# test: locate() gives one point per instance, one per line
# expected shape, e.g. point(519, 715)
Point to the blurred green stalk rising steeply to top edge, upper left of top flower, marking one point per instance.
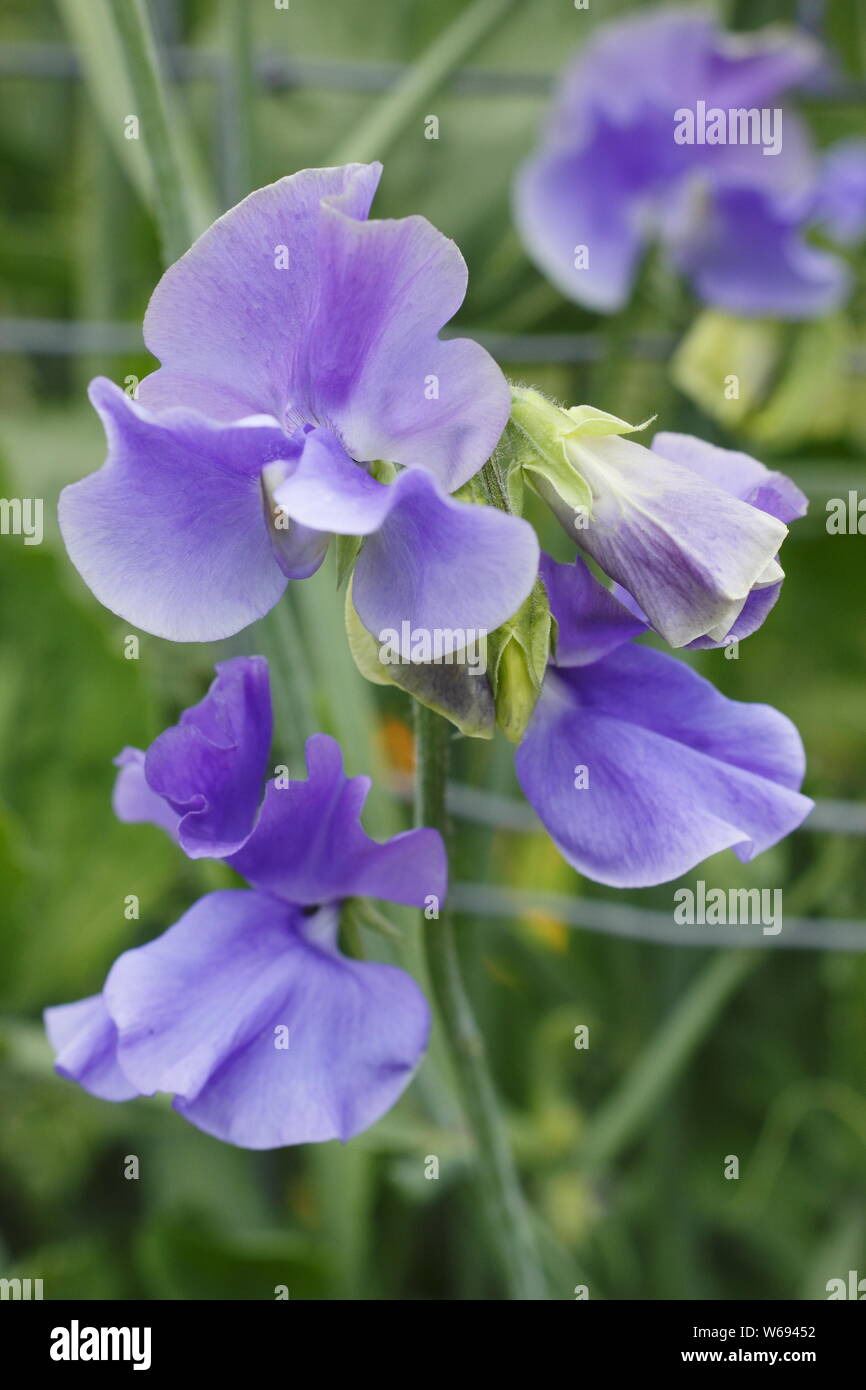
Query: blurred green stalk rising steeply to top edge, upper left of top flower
point(177, 209)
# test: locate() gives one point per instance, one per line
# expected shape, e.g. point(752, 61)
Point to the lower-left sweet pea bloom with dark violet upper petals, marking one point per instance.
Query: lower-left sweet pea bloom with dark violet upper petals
point(245, 1011)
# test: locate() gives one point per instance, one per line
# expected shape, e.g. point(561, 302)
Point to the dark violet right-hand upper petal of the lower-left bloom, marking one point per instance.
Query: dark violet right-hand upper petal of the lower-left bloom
point(309, 846)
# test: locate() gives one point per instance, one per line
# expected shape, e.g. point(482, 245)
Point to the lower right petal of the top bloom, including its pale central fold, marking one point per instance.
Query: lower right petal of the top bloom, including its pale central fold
point(443, 568)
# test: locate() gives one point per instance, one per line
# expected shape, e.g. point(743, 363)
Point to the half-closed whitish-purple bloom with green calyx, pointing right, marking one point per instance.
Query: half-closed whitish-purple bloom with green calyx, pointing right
point(690, 532)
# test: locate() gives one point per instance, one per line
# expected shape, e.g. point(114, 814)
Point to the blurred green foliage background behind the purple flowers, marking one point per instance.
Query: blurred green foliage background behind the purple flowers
point(622, 1146)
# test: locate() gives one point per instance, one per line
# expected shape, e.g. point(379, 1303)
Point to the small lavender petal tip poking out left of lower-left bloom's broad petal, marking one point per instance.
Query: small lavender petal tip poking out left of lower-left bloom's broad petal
point(85, 1045)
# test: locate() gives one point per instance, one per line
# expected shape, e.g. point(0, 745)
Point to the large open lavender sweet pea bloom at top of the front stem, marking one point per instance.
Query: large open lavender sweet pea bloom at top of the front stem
point(304, 391)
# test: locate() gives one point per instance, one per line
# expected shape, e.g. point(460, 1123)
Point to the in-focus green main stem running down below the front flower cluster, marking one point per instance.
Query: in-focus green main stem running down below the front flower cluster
point(509, 1217)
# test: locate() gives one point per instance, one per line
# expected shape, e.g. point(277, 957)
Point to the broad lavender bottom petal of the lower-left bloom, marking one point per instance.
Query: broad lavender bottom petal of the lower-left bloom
point(201, 1013)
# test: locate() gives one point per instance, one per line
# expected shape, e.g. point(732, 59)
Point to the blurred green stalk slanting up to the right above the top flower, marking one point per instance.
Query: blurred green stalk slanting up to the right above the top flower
point(377, 134)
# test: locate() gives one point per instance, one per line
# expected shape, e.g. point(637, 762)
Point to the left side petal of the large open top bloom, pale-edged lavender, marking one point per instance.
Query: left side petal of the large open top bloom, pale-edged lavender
point(172, 533)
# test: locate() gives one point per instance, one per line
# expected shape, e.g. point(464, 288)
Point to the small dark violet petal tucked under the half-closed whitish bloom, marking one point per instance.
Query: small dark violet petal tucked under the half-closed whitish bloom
point(591, 621)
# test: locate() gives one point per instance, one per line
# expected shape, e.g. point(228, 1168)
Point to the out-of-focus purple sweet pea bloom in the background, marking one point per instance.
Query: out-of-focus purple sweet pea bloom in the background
point(668, 130)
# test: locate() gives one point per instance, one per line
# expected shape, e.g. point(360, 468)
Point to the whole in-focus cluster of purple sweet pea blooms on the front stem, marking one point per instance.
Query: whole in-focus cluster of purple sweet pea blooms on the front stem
point(305, 393)
